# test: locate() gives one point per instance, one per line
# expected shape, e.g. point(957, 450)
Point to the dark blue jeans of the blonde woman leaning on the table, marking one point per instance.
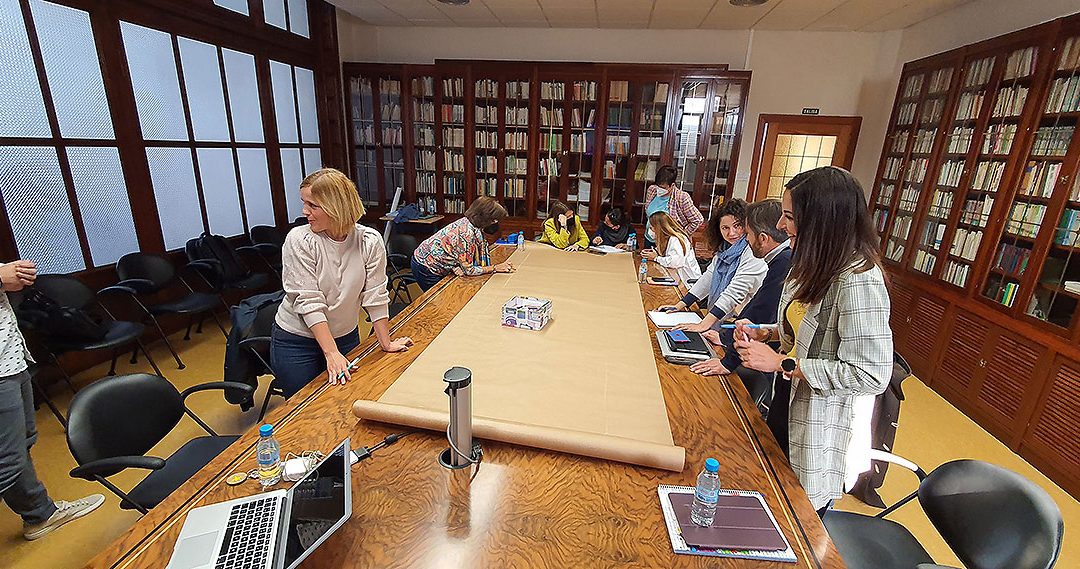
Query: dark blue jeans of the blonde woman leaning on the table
point(298, 360)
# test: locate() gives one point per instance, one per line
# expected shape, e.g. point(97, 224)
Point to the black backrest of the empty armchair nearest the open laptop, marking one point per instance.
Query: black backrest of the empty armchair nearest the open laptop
point(123, 416)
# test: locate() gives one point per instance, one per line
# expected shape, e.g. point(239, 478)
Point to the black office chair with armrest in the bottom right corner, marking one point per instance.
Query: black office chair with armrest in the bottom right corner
point(990, 517)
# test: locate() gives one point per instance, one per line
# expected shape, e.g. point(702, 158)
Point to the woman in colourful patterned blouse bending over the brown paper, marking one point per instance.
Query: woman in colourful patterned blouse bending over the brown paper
point(463, 248)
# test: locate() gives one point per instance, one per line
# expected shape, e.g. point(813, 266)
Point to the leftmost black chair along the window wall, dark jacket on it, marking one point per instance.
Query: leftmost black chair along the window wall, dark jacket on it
point(71, 293)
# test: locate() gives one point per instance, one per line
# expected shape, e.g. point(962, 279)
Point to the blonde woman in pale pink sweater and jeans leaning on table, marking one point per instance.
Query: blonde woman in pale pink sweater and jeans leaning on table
point(331, 268)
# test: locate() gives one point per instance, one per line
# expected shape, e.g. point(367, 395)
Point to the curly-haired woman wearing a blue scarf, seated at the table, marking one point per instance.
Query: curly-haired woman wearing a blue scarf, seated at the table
point(735, 275)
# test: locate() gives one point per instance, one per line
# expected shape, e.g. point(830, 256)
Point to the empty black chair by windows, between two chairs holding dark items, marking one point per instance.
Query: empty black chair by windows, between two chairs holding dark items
point(147, 275)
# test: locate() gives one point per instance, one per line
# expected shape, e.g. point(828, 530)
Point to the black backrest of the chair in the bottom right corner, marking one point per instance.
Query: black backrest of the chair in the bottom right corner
point(993, 518)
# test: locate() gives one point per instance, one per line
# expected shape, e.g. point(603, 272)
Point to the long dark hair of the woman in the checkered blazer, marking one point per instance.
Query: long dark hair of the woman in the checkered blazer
point(834, 231)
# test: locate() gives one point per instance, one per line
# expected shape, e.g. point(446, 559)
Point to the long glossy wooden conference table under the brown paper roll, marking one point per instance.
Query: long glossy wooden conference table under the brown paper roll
point(525, 508)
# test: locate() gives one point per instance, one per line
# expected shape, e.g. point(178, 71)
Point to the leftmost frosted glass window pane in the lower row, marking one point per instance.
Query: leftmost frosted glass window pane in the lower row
point(37, 205)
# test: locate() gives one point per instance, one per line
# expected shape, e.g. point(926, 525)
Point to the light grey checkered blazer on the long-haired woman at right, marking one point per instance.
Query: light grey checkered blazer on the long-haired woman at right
point(845, 349)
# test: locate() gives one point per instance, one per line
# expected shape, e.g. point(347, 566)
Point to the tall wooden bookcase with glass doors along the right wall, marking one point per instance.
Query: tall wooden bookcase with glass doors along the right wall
point(977, 202)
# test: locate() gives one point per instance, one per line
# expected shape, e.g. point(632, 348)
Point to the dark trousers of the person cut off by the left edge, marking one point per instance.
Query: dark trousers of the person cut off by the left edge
point(20, 486)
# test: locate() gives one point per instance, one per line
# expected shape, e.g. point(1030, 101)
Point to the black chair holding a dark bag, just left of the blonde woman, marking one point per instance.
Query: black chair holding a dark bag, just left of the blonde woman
point(223, 267)
